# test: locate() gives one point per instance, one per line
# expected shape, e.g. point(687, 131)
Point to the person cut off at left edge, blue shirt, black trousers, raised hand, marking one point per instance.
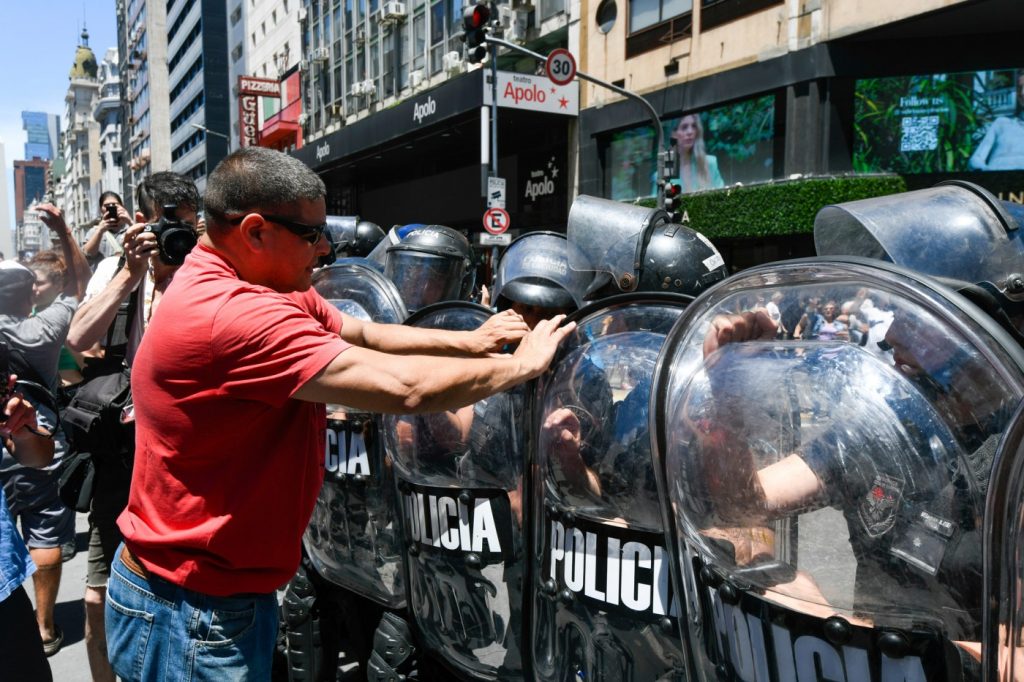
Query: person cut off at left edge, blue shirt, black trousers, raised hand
point(21, 646)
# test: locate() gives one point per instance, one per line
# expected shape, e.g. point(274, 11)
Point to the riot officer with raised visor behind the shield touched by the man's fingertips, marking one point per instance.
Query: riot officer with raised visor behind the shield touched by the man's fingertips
point(603, 606)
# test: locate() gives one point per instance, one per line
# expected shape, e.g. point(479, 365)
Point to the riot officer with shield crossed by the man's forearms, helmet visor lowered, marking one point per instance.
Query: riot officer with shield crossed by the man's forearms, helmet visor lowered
point(467, 594)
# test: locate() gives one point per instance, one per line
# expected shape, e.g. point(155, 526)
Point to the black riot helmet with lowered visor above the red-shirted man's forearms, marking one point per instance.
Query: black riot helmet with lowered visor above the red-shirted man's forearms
point(432, 264)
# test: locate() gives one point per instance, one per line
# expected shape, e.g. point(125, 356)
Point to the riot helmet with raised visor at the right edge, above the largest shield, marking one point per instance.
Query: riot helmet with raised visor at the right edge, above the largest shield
point(957, 232)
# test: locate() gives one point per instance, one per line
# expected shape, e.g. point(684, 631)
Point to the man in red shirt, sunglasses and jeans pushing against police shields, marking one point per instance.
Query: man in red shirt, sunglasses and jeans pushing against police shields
point(229, 395)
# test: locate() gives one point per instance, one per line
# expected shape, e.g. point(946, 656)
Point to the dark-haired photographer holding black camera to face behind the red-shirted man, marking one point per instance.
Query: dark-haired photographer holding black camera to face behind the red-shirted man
point(110, 303)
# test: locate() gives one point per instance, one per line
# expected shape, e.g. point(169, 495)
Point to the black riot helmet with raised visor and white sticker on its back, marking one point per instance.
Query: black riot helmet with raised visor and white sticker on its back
point(632, 248)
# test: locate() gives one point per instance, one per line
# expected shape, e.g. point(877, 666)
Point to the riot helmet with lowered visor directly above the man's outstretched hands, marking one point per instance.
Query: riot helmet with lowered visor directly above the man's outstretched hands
point(535, 271)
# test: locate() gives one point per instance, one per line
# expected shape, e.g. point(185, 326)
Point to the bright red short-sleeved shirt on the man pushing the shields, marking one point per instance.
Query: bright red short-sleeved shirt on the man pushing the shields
point(228, 464)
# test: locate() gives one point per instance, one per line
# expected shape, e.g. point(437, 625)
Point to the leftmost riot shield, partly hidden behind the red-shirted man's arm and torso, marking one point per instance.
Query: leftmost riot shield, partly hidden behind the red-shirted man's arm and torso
point(354, 539)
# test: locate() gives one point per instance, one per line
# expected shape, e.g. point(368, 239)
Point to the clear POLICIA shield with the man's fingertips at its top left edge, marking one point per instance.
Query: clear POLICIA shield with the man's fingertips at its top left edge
point(603, 607)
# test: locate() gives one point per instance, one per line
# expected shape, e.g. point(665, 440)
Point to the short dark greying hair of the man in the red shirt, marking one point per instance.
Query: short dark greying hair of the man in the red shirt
point(255, 178)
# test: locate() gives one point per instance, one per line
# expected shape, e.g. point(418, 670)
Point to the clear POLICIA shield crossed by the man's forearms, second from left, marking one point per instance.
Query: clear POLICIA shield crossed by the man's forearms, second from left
point(460, 482)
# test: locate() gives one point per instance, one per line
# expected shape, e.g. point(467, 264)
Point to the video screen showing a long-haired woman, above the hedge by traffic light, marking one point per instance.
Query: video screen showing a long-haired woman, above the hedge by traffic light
point(714, 149)
